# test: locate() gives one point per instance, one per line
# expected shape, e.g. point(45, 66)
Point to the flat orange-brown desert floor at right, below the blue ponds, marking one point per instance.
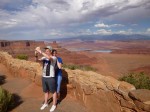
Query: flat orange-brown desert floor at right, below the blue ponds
point(117, 65)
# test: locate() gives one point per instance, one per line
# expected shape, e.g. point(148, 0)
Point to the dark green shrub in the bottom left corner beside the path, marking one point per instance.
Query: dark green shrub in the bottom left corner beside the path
point(6, 100)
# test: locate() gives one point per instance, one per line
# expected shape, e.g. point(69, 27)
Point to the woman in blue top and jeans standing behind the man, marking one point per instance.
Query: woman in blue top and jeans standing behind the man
point(58, 72)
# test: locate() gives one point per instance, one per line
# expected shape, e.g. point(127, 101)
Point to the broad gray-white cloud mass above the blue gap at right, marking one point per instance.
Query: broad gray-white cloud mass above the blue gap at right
point(44, 16)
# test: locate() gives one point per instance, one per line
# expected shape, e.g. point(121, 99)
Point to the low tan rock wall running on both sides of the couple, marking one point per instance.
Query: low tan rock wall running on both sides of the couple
point(97, 92)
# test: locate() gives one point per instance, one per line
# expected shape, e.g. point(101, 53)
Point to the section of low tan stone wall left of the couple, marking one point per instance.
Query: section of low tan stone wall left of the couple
point(20, 68)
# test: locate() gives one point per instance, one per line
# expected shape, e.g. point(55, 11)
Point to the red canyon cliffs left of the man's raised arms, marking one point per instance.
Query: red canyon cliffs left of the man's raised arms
point(20, 47)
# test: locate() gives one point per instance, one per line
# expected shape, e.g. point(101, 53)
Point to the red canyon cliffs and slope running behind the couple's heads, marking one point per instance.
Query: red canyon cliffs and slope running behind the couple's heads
point(16, 48)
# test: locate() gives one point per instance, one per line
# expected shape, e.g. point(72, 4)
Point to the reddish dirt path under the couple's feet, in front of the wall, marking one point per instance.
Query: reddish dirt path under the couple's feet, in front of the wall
point(32, 96)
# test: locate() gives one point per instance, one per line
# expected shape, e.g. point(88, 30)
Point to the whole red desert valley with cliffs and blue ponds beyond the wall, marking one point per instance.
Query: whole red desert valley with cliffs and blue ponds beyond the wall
point(112, 58)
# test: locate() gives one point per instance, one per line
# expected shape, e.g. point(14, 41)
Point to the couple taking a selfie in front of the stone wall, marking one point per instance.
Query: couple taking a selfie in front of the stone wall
point(51, 75)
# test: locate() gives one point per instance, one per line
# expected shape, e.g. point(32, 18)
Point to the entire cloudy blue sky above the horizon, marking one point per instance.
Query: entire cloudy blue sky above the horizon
point(37, 19)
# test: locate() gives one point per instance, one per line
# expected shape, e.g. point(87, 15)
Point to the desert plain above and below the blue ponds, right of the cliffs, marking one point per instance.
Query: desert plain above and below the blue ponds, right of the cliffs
point(127, 56)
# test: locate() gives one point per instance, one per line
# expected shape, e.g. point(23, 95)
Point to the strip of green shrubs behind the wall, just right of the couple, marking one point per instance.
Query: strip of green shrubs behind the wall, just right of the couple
point(81, 67)
